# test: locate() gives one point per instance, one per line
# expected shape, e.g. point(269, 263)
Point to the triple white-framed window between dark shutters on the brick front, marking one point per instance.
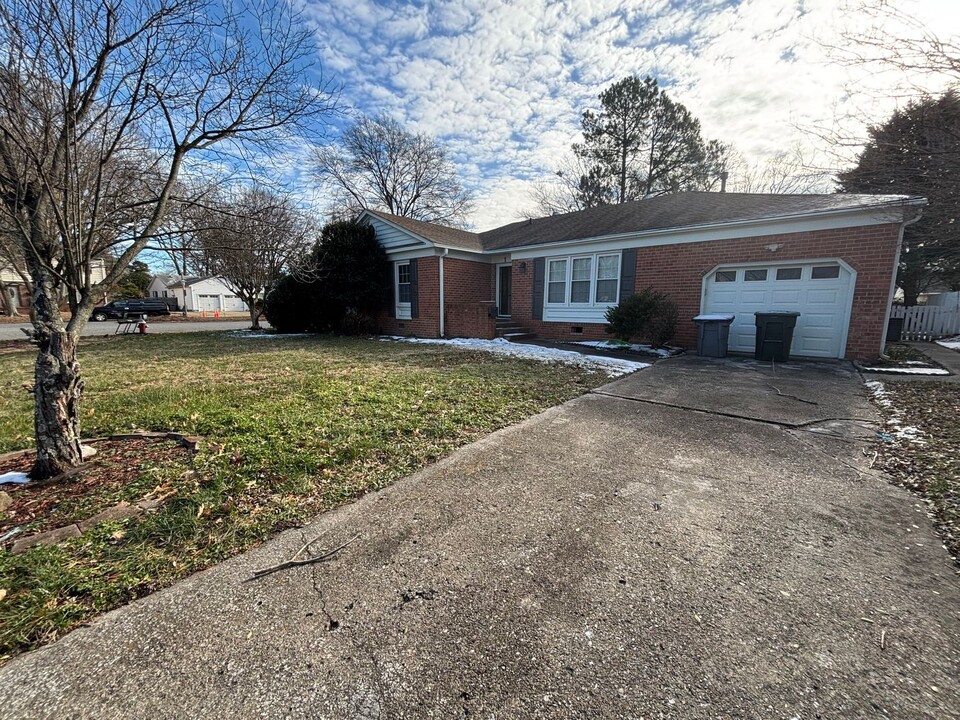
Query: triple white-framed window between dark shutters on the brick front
point(583, 280)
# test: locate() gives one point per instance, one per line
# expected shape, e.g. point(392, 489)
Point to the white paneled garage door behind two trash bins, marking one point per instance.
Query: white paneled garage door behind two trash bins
point(821, 292)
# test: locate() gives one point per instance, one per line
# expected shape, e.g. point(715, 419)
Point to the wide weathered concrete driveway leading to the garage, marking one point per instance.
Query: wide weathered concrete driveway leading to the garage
point(639, 552)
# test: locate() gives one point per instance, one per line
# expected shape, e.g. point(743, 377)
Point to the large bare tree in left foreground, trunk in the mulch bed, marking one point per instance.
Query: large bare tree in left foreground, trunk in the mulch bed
point(102, 104)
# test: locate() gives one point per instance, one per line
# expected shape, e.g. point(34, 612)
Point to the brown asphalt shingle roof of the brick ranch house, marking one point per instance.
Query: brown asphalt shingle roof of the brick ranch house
point(663, 212)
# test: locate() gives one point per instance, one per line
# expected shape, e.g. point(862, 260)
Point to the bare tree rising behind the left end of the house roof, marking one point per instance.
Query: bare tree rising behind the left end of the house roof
point(380, 165)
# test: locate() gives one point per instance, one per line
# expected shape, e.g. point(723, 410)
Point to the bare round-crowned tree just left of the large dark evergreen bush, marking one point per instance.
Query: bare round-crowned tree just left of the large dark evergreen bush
point(250, 241)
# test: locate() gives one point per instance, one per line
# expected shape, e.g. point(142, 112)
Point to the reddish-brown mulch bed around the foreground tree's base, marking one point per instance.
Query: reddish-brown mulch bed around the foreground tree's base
point(116, 463)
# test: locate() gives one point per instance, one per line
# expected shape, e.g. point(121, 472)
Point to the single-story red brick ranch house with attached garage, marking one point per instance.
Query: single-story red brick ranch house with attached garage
point(833, 258)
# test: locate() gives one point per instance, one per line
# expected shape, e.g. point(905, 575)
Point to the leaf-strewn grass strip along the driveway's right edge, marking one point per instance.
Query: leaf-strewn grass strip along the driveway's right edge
point(930, 468)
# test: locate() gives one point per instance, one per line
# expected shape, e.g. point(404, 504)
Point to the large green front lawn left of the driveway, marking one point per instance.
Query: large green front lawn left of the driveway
point(293, 426)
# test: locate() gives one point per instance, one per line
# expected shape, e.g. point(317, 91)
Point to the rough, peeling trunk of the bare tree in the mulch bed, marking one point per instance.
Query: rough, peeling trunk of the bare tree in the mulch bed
point(57, 390)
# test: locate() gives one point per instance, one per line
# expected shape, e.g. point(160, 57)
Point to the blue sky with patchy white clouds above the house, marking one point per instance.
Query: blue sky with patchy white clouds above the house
point(502, 84)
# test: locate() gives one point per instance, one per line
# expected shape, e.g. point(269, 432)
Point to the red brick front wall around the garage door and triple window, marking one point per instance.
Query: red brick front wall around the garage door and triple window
point(678, 271)
